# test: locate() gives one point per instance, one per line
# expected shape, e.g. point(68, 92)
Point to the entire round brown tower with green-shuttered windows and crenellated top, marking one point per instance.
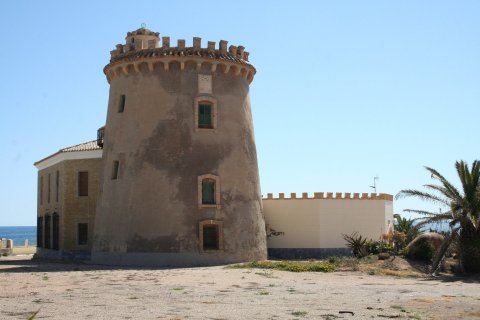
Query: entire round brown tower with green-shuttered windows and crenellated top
point(180, 183)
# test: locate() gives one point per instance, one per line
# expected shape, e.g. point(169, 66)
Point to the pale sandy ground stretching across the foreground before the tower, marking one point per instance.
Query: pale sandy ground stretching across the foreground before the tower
point(72, 291)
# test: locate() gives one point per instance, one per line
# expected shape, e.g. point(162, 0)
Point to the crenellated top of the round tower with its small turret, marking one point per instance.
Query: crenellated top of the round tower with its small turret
point(144, 52)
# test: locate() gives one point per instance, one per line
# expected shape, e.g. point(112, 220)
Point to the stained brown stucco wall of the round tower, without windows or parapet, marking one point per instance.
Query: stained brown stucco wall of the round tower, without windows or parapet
point(151, 210)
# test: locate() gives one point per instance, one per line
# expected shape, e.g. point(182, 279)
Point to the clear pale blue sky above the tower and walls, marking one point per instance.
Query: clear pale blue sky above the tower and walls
point(344, 91)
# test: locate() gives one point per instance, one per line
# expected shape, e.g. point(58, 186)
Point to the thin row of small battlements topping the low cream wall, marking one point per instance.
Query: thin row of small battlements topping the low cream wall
point(333, 196)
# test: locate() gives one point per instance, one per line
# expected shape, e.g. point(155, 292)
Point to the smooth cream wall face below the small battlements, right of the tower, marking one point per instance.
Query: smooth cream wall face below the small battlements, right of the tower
point(320, 223)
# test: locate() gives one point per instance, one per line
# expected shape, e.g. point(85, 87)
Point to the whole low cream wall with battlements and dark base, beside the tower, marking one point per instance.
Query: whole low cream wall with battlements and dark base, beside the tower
point(313, 226)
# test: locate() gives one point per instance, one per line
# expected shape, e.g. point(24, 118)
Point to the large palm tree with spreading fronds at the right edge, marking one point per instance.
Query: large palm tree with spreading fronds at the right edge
point(463, 211)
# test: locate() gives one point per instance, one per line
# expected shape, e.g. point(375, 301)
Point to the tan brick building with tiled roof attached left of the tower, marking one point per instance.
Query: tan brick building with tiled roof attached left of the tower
point(68, 183)
